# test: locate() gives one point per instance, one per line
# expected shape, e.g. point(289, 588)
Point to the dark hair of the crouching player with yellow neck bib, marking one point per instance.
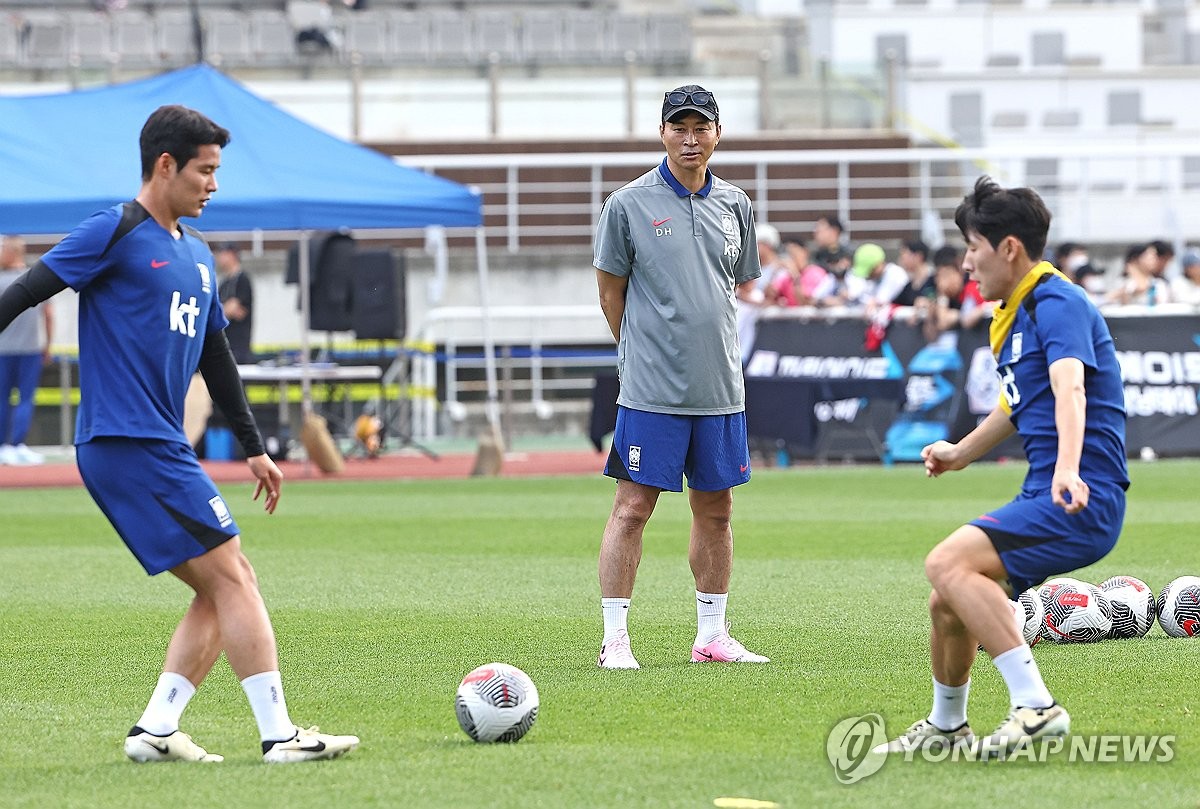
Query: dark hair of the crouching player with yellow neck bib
point(997, 213)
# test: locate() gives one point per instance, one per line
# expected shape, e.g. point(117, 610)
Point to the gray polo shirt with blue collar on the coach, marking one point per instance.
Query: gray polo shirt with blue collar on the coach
point(685, 255)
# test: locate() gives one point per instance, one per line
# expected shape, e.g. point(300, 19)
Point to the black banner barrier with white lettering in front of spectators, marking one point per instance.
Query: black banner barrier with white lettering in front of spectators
point(809, 381)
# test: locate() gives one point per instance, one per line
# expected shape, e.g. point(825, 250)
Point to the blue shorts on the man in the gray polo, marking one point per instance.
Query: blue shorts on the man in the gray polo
point(659, 450)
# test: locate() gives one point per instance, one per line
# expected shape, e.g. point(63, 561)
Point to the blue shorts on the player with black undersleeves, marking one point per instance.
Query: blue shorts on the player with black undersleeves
point(158, 498)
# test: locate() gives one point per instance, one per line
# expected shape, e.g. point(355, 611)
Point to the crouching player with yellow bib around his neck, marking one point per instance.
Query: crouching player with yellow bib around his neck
point(1061, 391)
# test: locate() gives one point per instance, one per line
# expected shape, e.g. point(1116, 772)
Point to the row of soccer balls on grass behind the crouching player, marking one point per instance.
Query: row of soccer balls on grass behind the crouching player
point(1071, 612)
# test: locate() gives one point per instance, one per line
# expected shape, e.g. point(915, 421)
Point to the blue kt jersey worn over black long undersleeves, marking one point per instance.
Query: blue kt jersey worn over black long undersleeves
point(147, 301)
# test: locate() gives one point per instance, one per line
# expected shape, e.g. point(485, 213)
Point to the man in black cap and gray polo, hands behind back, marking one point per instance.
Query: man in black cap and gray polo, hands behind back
point(671, 250)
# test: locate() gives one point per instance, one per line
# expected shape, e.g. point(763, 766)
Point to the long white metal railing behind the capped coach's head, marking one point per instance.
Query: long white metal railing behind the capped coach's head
point(1099, 195)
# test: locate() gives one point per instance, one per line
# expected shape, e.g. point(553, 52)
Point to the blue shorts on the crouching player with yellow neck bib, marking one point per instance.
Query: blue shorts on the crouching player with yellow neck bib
point(1036, 540)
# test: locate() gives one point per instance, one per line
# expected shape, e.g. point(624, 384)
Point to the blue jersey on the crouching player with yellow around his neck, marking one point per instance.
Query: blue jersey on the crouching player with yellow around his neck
point(1058, 321)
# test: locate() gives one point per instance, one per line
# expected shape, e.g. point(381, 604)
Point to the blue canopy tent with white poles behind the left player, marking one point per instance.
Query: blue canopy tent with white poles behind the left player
point(64, 157)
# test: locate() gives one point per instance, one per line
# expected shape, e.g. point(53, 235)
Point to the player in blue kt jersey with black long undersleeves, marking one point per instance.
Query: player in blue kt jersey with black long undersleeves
point(149, 317)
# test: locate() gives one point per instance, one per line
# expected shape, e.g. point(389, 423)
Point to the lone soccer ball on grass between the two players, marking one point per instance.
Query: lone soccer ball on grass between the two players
point(496, 703)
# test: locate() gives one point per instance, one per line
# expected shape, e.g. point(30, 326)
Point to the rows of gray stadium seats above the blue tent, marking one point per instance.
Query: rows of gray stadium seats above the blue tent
point(269, 34)
